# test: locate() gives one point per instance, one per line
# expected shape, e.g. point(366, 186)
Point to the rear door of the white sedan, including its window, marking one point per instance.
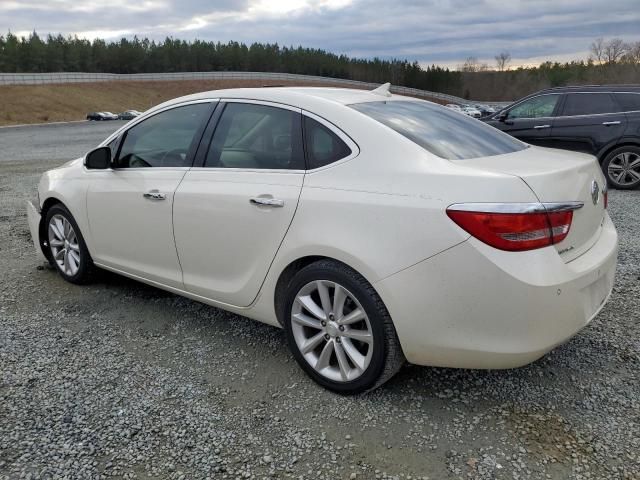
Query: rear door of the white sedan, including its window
point(233, 209)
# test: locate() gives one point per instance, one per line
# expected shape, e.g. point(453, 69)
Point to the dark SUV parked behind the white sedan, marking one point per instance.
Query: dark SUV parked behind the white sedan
point(601, 120)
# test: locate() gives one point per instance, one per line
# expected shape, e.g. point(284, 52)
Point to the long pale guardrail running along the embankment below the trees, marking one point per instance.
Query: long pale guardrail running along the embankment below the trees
point(80, 77)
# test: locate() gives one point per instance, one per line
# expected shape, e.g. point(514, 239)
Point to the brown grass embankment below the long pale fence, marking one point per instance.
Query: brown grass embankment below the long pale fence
point(21, 104)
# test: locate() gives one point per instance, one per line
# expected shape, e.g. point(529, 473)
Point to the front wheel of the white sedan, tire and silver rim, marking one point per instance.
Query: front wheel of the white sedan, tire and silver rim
point(68, 251)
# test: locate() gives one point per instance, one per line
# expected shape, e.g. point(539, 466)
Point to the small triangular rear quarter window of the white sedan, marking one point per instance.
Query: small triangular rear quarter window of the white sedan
point(323, 146)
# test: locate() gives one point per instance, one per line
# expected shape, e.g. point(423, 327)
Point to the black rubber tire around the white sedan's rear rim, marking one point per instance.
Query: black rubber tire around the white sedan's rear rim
point(377, 364)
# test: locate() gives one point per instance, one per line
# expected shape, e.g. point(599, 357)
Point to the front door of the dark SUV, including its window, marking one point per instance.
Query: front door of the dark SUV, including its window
point(531, 120)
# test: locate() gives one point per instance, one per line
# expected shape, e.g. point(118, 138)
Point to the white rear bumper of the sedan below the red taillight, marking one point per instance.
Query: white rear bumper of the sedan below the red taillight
point(473, 306)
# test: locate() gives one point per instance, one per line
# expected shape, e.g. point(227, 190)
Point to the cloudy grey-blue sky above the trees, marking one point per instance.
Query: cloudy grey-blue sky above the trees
point(444, 32)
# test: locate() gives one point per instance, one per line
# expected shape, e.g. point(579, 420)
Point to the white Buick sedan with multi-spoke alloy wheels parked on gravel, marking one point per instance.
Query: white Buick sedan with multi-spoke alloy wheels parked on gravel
point(375, 228)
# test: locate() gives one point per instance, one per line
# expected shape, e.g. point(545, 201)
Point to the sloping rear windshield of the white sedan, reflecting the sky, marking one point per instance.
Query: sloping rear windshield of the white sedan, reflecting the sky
point(441, 131)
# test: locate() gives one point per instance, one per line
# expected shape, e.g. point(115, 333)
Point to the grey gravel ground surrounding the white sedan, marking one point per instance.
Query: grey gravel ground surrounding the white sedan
point(119, 379)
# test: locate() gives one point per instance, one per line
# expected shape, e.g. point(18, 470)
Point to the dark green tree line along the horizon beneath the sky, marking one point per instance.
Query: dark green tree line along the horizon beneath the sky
point(611, 61)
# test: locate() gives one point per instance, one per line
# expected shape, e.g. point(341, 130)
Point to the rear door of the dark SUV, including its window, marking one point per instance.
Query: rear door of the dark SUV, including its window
point(589, 121)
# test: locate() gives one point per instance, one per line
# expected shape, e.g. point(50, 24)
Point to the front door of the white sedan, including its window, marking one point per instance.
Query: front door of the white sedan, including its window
point(130, 206)
